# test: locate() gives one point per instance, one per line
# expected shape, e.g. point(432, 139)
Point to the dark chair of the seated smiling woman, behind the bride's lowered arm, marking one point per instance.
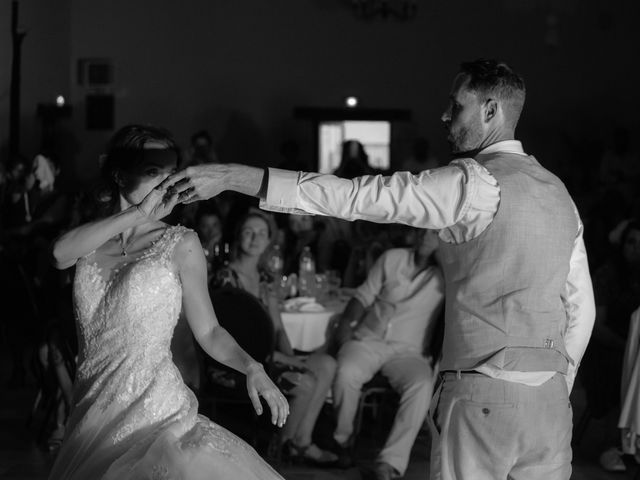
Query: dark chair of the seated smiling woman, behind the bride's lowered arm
point(247, 321)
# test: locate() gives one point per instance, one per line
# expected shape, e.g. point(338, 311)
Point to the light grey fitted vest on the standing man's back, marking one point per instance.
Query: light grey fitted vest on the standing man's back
point(504, 288)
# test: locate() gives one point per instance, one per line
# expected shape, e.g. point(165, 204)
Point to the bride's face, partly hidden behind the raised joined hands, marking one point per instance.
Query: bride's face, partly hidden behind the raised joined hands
point(136, 185)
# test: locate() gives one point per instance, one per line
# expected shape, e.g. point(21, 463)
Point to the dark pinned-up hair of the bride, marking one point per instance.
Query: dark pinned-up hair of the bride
point(124, 156)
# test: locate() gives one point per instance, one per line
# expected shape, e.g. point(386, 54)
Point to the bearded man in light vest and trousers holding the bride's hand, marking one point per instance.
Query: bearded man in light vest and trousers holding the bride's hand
point(519, 302)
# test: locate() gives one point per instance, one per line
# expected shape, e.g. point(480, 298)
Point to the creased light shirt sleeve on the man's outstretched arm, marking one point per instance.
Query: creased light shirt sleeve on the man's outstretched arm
point(434, 199)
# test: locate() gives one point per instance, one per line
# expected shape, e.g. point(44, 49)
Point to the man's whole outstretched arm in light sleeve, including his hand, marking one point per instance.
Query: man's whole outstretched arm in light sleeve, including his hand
point(432, 199)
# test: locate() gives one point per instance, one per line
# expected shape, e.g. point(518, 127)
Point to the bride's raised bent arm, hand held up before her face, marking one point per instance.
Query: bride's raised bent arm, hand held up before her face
point(82, 240)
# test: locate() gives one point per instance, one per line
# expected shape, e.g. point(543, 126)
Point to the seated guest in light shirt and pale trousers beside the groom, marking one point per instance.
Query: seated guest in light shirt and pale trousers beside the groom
point(384, 328)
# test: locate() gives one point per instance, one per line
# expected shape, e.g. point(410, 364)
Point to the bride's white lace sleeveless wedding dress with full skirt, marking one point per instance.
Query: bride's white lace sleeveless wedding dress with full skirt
point(133, 416)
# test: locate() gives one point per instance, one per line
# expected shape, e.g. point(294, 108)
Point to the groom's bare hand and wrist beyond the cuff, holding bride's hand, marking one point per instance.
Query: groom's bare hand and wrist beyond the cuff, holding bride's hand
point(201, 182)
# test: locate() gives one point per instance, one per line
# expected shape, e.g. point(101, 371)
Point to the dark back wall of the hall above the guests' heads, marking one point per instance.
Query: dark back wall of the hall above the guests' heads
point(239, 68)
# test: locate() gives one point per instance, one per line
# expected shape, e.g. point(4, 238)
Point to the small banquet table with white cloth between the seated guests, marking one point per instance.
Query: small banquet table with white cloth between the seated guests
point(308, 330)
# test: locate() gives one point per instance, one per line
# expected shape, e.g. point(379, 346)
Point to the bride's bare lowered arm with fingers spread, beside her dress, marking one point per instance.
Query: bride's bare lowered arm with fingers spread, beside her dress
point(214, 339)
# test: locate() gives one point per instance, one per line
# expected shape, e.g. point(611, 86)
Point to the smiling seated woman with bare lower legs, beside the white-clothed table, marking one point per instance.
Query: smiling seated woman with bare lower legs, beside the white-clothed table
point(306, 380)
